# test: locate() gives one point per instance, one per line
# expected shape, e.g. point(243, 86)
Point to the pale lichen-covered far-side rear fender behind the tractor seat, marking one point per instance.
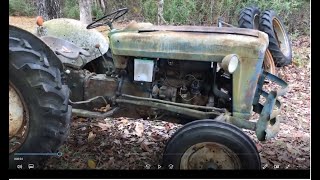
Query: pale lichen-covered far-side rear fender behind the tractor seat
point(76, 32)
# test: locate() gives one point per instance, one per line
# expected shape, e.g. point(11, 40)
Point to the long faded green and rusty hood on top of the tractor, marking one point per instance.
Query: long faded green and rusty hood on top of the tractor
point(188, 42)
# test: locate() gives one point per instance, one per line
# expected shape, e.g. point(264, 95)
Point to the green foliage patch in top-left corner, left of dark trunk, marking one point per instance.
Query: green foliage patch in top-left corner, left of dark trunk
point(21, 8)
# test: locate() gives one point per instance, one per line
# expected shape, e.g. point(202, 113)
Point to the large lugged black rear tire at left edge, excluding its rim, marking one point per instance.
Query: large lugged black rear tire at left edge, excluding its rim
point(46, 99)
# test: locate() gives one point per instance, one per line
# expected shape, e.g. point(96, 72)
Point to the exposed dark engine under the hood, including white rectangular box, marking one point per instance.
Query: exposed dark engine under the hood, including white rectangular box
point(183, 81)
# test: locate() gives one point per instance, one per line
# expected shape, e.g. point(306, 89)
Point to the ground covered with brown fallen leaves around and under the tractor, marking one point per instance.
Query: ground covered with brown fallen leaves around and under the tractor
point(124, 143)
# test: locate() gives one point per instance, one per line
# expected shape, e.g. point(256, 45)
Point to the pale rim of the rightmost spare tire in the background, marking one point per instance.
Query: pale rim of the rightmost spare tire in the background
point(282, 39)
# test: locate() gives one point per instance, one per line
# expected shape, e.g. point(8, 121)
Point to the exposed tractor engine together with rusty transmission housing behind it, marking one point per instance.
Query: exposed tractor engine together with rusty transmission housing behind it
point(181, 81)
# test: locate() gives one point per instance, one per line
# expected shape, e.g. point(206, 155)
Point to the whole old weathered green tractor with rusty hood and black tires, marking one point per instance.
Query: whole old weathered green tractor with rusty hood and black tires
point(210, 77)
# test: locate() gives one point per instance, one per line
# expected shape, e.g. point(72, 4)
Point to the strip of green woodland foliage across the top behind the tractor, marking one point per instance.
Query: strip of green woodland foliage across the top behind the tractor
point(294, 13)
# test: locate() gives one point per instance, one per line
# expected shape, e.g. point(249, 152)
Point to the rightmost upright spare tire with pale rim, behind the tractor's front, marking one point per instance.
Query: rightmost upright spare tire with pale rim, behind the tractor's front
point(279, 41)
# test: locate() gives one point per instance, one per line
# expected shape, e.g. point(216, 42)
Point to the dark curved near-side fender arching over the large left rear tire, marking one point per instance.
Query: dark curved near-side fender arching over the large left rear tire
point(37, 45)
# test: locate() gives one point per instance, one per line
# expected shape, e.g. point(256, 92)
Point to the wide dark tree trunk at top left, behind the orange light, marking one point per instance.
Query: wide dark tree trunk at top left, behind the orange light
point(49, 9)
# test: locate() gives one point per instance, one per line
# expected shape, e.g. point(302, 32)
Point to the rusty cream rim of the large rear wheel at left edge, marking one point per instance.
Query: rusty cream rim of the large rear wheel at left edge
point(18, 119)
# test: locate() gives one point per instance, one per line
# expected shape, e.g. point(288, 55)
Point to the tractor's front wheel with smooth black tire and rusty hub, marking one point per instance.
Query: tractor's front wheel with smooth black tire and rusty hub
point(210, 144)
